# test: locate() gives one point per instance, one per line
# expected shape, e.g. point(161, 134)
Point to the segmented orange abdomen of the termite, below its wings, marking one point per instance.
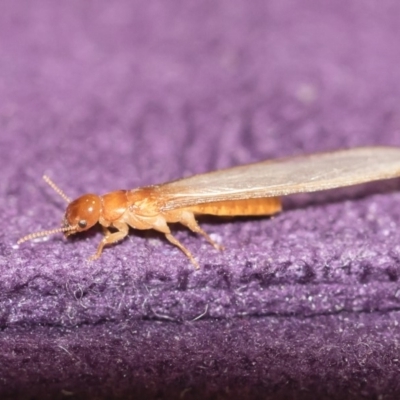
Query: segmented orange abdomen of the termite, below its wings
point(262, 206)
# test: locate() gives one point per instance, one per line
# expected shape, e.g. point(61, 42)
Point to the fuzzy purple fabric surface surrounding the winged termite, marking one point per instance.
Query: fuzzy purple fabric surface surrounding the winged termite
point(108, 95)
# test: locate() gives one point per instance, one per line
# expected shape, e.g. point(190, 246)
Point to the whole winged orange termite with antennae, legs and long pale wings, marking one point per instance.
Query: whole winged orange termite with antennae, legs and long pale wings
point(247, 190)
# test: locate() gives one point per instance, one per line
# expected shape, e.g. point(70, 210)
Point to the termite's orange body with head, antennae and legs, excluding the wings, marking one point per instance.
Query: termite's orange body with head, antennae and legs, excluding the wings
point(143, 208)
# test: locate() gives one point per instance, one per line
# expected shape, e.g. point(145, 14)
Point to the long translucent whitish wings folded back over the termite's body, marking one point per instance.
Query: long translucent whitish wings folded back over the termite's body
point(284, 176)
